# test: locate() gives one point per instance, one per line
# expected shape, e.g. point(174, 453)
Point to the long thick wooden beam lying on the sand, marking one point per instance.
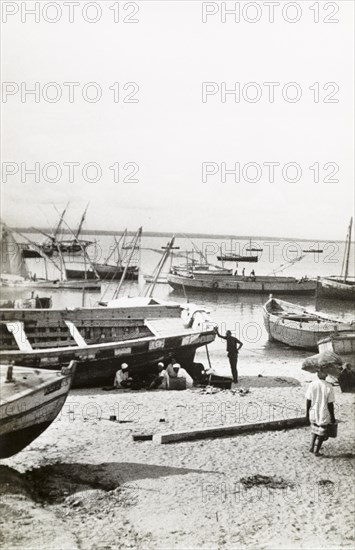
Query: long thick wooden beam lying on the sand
point(229, 430)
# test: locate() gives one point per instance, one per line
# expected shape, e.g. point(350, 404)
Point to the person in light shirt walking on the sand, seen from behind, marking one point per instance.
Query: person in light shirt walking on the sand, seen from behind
point(320, 410)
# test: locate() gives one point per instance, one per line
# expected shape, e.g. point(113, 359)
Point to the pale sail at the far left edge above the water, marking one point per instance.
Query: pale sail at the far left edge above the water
point(11, 261)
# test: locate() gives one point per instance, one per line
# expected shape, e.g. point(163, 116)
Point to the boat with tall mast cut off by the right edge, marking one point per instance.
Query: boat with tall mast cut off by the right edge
point(342, 287)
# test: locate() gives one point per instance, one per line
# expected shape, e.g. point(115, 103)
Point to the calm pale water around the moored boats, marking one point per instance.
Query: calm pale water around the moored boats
point(242, 314)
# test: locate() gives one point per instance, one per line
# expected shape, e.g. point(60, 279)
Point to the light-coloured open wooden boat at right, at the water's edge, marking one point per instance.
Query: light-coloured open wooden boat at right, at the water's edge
point(297, 327)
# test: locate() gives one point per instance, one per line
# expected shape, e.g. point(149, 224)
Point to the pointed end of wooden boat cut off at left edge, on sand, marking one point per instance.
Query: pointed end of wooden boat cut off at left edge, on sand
point(30, 400)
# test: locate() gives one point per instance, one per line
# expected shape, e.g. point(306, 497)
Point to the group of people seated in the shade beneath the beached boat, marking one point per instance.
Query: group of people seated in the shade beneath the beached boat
point(163, 379)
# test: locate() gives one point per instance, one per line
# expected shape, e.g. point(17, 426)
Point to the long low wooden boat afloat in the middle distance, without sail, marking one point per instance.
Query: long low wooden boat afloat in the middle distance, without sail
point(213, 282)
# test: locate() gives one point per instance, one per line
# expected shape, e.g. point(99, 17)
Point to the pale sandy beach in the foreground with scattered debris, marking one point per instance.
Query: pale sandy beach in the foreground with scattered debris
point(84, 483)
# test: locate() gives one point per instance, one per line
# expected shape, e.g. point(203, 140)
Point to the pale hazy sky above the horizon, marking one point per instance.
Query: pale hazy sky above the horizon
point(170, 132)
